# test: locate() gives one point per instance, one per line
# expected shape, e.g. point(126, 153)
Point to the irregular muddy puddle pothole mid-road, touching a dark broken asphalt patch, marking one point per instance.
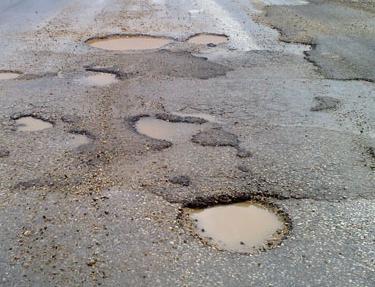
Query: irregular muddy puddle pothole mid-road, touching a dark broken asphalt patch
point(174, 132)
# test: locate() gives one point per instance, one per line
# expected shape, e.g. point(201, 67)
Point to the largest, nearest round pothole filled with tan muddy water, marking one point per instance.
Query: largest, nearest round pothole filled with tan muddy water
point(240, 227)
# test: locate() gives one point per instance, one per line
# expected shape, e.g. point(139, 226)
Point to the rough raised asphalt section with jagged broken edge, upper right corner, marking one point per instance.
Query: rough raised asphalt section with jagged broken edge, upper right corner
point(342, 34)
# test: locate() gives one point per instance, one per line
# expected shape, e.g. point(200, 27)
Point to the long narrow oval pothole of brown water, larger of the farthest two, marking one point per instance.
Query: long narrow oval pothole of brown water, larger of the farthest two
point(129, 43)
